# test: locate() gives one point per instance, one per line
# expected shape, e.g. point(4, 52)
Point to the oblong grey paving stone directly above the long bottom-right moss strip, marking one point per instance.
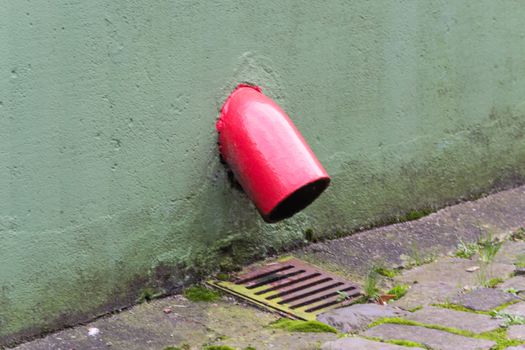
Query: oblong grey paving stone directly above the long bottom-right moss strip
point(456, 319)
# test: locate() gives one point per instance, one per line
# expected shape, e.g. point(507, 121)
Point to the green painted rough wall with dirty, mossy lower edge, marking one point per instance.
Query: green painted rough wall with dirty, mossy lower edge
point(109, 176)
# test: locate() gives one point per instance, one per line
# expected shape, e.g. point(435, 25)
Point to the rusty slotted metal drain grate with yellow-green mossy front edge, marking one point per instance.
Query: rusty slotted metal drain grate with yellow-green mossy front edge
point(292, 287)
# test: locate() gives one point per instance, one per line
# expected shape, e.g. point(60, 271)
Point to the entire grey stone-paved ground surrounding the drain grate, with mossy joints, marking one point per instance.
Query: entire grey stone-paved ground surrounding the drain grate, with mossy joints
point(467, 302)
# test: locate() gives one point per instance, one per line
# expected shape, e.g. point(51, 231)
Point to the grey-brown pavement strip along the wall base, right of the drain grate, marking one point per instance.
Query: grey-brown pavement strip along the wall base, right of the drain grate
point(435, 234)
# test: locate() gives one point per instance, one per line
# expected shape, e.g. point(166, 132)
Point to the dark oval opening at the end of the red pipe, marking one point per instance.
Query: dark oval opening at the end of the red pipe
point(298, 200)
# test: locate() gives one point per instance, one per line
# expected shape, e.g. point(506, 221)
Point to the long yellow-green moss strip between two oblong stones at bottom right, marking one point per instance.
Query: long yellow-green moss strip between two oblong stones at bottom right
point(499, 336)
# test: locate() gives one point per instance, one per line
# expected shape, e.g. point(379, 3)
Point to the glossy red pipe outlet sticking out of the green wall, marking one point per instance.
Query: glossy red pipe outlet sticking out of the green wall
point(268, 155)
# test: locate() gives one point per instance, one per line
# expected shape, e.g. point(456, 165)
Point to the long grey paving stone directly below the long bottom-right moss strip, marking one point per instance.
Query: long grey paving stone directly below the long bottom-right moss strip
point(435, 339)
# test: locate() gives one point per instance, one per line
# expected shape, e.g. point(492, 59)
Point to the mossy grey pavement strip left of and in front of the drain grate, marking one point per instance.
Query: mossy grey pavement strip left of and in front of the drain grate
point(148, 327)
